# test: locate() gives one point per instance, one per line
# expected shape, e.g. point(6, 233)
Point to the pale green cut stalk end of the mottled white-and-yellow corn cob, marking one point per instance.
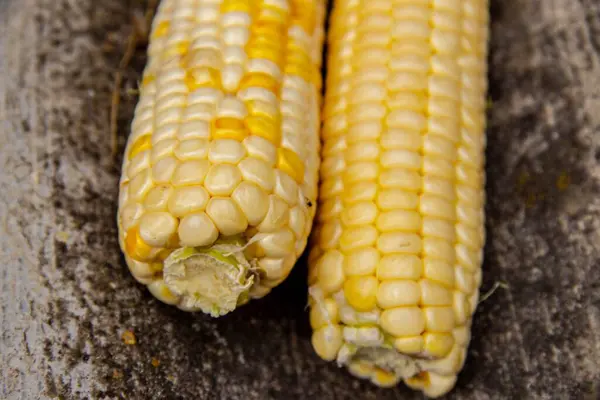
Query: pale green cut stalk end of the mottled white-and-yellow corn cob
point(214, 280)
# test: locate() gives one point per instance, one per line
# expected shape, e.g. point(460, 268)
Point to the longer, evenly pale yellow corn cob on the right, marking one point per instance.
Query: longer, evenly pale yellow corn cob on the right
point(397, 246)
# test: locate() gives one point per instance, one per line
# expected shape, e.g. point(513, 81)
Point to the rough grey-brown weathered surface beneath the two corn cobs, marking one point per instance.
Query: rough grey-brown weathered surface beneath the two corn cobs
point(66, 296)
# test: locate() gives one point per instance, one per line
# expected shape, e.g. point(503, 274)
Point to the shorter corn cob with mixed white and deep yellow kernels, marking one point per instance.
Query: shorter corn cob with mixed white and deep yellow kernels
point(220, 171)
